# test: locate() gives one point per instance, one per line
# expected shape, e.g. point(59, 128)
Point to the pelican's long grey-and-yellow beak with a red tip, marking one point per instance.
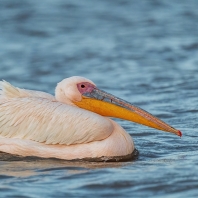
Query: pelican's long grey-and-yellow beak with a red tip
point(106, 104)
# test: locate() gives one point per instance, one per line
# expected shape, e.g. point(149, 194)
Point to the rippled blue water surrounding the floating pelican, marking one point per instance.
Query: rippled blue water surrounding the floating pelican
point(145, 52)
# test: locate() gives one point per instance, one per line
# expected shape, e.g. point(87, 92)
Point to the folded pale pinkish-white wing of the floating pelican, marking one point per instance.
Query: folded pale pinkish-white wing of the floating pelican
point(50, 122)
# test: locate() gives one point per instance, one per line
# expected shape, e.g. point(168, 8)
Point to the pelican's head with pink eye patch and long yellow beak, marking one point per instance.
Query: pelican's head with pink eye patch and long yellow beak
point(81, 92)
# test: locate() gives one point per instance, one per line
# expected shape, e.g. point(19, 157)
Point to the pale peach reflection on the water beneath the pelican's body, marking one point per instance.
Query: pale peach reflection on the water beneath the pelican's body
point(31, 168)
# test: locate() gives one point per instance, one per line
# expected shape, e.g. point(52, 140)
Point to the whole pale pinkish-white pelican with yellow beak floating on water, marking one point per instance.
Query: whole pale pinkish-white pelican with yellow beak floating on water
point(73, 124)
